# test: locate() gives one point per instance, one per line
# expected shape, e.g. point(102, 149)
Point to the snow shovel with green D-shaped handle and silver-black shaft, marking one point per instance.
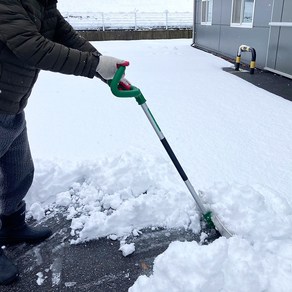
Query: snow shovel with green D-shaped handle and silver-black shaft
point(211, 219)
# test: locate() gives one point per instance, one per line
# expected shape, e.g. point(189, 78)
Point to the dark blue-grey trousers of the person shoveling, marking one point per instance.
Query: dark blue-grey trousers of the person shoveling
point(16, 165)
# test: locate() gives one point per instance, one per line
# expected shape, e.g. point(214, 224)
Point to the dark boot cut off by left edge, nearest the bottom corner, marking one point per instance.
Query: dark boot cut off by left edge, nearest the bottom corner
point(8, 271)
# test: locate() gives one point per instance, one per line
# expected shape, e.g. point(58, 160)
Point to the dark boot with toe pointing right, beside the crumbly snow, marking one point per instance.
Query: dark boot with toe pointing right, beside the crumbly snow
point(14, 229)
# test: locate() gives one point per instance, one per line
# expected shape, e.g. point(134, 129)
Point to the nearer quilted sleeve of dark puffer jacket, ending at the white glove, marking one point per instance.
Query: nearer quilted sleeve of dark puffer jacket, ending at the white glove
point(21, 36)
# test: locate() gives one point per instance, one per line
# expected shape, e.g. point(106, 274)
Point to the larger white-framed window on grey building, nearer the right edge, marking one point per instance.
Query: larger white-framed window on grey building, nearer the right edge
point(242, 13)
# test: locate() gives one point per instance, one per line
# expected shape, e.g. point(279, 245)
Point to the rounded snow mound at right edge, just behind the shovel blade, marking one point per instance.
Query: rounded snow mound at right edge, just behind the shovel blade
point(251, 211)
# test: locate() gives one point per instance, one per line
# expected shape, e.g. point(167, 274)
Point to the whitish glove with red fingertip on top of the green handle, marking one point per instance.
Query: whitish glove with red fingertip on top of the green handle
point(108, 66)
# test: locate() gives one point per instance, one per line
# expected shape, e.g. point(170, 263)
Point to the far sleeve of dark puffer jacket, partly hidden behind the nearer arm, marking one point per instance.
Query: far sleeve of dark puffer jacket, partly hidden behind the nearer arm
point(66, 35)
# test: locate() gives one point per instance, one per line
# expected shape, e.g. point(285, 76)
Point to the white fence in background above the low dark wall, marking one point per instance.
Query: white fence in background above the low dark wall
point(129, 20)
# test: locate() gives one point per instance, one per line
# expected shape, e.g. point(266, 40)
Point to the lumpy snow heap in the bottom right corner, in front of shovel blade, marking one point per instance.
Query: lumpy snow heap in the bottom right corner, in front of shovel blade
point(224, 265)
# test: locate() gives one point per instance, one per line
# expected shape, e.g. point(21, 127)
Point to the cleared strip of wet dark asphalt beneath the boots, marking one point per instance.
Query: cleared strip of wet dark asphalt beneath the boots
point(57, 265)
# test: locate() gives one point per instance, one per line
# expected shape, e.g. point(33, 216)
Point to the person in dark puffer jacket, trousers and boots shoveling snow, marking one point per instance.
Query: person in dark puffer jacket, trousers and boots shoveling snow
point(33, 36)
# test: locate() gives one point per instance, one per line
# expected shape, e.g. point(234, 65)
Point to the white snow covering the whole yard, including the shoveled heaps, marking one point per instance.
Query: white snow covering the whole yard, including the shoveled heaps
point(98, 158)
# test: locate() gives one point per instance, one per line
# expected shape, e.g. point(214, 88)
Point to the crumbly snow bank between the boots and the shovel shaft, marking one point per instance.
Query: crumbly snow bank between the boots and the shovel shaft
point(116, 196)
